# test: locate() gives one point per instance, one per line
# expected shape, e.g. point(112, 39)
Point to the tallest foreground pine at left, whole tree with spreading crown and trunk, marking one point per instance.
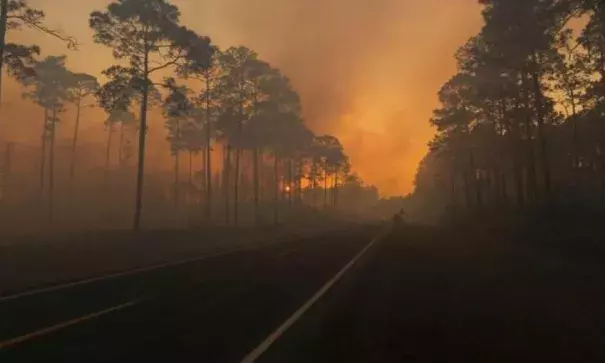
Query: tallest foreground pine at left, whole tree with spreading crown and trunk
point(147, 34)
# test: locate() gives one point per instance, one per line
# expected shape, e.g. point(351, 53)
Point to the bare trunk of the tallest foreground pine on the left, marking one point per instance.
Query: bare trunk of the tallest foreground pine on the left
point(142, 138)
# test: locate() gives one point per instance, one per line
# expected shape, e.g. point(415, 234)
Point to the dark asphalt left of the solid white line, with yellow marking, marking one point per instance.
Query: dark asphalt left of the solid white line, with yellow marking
point(215, 310)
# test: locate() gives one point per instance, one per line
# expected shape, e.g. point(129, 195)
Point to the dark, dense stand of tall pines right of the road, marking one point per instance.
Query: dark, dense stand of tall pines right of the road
point(522, 123)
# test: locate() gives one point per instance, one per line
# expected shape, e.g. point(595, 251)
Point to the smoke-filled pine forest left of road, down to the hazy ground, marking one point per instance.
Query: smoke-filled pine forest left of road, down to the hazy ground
point(242, 153)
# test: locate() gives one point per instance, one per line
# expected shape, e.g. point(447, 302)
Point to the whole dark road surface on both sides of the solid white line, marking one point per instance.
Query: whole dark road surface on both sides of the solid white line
point(419, 295)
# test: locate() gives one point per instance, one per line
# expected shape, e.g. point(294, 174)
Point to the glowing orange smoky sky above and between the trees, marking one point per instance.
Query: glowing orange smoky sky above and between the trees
point(367, 73)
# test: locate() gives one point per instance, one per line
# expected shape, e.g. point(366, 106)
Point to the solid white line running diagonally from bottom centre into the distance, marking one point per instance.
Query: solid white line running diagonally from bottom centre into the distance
point(262, 348)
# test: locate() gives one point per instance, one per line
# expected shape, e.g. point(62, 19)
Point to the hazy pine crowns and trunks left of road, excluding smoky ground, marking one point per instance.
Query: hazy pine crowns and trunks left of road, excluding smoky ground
point(215, 102)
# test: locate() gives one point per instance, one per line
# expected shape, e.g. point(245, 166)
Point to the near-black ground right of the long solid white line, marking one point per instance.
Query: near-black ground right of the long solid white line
point(435, 296)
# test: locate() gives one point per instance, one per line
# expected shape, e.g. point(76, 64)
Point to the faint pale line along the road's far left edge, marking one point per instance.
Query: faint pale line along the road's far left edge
point(122, 274)
